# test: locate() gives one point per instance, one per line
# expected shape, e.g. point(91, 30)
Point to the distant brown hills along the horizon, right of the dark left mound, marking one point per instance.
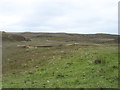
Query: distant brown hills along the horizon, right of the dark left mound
point(67, 37)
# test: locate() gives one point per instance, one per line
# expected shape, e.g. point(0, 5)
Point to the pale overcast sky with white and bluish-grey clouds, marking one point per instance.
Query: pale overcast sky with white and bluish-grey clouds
point(68, 16)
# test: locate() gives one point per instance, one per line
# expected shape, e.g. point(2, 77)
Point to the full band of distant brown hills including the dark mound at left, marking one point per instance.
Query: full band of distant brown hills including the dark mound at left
point(61, 37)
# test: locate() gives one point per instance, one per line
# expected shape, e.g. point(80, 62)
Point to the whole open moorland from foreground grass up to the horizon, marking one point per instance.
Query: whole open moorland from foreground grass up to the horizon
point(60, 60)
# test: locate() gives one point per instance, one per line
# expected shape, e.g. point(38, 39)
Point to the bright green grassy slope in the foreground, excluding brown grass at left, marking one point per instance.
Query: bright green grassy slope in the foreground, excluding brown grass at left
point(72, 67)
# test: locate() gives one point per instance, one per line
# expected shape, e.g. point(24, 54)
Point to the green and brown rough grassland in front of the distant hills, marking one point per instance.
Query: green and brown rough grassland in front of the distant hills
point(76, 66)
